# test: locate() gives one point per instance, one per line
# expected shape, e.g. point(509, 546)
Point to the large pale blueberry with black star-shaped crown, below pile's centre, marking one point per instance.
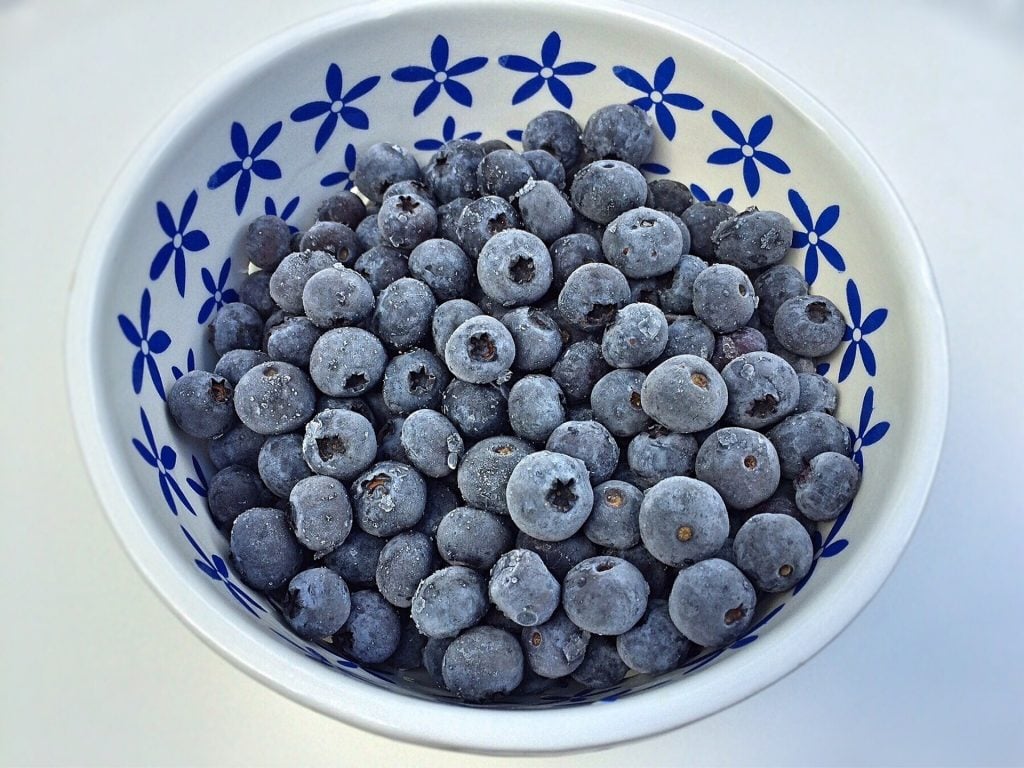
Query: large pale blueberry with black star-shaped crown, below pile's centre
point(549, 496)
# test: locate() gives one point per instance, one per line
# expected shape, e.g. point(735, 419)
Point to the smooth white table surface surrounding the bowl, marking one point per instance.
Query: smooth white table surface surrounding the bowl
point(96, 671)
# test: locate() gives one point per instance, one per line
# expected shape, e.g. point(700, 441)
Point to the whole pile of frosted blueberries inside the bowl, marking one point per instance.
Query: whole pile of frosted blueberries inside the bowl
point(514, 417)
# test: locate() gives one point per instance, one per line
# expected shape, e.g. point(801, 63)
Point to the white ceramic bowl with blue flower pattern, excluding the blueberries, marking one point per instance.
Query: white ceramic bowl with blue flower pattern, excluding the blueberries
point(282, 130)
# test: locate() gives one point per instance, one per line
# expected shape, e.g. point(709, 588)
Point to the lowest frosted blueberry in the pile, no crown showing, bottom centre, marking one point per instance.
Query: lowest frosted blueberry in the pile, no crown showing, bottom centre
point(482, 664)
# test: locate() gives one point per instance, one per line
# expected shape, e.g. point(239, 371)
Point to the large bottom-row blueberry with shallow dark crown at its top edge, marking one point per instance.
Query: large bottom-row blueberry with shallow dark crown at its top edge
point(605, 595)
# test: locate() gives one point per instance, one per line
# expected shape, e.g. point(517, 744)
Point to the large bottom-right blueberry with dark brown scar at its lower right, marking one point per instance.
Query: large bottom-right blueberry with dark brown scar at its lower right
point(712, 604)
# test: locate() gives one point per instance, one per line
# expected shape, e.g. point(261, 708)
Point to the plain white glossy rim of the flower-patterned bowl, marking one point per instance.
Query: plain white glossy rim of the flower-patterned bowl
point(436, 723)
